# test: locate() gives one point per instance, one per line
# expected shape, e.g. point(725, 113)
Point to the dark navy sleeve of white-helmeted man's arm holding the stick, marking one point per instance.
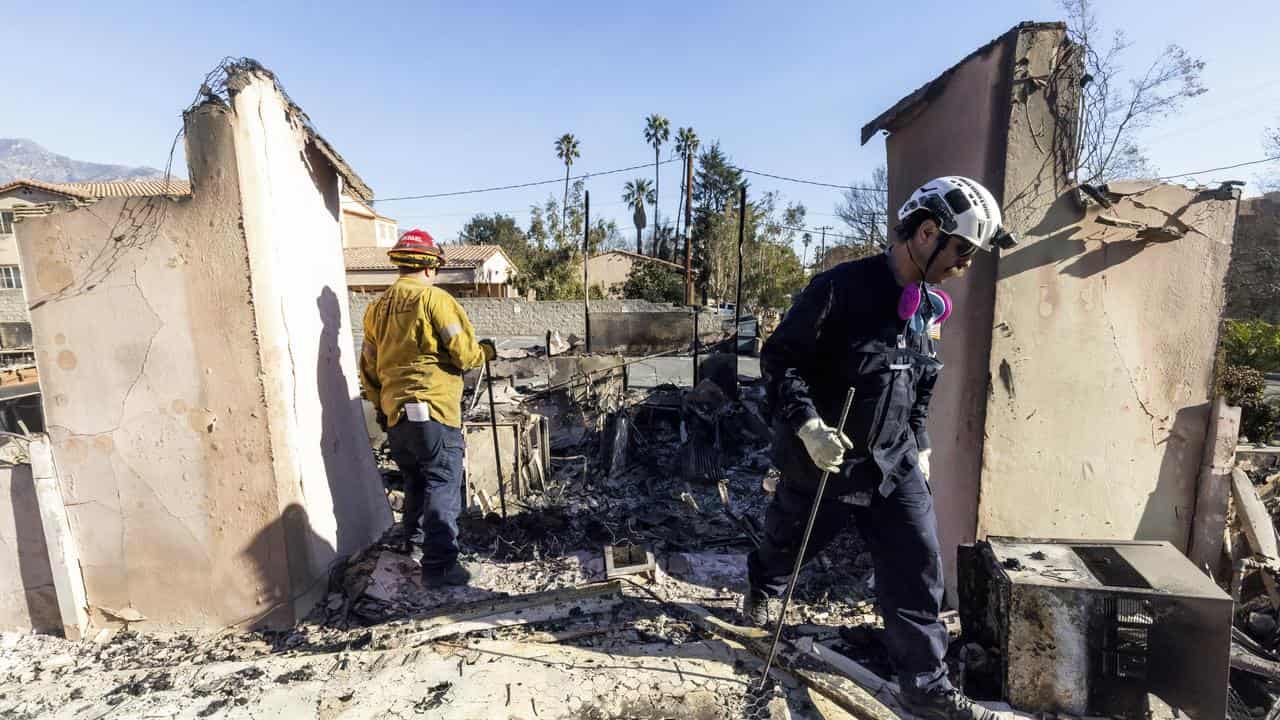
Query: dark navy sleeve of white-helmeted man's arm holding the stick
point(793, 353)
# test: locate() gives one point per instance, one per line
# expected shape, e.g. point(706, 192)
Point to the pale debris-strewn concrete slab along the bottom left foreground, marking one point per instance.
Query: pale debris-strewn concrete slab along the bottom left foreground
point(447, 680)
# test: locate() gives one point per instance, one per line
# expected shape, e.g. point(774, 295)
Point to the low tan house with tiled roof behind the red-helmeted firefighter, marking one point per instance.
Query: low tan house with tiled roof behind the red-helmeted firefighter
point(470, 271)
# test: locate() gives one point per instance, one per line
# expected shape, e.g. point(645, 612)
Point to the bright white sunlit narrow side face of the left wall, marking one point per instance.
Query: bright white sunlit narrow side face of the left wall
point(292, 227)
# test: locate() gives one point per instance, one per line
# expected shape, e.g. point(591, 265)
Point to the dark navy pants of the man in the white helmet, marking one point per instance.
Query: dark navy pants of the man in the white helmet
point(902, 535)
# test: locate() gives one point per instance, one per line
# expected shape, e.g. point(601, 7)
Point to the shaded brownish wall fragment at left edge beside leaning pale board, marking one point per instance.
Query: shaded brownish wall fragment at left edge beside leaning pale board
point(34, 569)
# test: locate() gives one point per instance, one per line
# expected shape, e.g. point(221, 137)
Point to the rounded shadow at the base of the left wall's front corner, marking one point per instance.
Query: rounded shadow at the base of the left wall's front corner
point(284, 554)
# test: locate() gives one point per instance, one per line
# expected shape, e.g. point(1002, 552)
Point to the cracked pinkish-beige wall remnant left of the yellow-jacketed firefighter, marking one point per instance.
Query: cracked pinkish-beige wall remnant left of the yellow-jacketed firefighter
point(190, 479)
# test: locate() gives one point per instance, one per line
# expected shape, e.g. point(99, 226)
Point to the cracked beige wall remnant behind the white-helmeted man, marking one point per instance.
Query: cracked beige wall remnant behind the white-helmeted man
point(1075, 397)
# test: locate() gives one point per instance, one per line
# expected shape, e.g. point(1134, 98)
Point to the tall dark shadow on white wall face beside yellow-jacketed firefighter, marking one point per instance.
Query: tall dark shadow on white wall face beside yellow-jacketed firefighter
point(342, 444)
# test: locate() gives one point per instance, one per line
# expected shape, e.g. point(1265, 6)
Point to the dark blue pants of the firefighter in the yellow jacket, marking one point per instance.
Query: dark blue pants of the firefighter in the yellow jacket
point(431, 458)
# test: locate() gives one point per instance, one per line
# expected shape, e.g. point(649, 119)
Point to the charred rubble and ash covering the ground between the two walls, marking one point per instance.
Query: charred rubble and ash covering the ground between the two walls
point(534, 634)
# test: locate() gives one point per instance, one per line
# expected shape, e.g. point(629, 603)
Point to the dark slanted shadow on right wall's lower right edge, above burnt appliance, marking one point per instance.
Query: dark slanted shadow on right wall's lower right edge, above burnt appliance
point(1164, 518)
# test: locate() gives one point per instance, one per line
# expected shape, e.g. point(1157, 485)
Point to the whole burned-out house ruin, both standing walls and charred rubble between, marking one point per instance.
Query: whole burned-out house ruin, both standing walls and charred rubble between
point(211, 464)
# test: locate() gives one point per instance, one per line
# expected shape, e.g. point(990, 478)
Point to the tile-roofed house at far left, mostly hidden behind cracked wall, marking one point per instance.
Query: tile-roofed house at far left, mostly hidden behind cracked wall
point(25, 198)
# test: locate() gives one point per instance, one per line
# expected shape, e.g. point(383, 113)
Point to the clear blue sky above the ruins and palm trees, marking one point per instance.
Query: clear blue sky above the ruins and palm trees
point(428, 98)
